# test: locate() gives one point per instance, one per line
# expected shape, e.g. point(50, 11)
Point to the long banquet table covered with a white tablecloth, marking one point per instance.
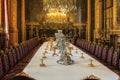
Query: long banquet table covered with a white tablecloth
point(76, 71)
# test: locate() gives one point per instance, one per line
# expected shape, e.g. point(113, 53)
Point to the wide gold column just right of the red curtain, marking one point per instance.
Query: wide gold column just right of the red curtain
point(13, 22)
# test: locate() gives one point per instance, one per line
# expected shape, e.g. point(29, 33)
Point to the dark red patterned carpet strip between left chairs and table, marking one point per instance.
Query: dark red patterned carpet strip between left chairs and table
point(21, 65)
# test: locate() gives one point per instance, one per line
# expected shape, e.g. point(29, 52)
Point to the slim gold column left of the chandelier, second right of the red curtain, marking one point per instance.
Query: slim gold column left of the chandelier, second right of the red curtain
point(23, 21)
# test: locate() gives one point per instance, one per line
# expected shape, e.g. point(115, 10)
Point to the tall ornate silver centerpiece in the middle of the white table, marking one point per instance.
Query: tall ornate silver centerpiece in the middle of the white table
point(61, 44)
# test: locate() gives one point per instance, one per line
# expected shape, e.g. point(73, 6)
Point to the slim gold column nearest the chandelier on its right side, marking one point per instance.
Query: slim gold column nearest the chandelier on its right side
point(88, 19)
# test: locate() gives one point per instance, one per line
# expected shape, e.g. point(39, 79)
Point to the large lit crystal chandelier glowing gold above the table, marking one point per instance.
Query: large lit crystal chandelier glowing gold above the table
point(56, 10)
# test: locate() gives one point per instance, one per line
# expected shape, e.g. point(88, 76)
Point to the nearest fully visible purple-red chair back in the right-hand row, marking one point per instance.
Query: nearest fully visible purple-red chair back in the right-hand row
point(115, 58)
